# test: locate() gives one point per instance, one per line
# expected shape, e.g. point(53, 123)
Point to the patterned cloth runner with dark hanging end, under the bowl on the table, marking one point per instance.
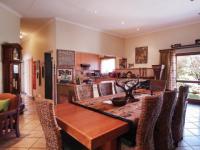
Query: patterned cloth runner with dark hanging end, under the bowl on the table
point(129, 112)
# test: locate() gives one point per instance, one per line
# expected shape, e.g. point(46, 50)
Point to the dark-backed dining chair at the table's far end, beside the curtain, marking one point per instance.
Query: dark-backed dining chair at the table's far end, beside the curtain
point(157, 85)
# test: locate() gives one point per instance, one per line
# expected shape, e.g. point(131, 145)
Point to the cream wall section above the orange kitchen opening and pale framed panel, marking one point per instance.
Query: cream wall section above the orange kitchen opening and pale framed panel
point(74, 37)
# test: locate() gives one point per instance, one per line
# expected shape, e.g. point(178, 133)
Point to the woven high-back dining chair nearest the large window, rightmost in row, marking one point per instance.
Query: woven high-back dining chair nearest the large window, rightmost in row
point(178, 120)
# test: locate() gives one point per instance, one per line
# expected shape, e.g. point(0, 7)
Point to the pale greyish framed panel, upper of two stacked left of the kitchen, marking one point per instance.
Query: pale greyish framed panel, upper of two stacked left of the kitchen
point(65, 58)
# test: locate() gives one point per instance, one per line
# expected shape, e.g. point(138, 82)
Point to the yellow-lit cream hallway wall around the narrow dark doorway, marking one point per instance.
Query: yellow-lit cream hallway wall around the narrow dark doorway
point(41, 41)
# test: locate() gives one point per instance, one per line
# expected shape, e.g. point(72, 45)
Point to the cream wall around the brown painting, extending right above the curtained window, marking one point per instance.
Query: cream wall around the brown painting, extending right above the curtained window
point(161, 40)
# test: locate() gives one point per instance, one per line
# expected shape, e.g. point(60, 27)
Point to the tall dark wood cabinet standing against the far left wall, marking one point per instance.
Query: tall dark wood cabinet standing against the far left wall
point(11, 59)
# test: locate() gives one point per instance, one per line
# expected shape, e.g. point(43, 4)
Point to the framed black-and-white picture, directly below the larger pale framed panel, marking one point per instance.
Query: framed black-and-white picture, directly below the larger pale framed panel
point(65, 75)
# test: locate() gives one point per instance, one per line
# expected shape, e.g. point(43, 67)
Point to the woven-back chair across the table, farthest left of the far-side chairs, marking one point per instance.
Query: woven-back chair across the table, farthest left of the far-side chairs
point(84, 91)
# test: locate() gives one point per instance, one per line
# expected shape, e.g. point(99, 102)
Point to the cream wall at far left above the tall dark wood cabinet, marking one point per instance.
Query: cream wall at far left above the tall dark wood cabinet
point(9, 31)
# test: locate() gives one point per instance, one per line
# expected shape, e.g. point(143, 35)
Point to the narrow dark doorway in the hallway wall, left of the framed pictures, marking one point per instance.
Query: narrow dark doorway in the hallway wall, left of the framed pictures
point(48, 75)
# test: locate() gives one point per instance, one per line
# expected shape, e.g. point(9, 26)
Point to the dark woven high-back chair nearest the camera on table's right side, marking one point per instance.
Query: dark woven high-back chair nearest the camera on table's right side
point(150, 110)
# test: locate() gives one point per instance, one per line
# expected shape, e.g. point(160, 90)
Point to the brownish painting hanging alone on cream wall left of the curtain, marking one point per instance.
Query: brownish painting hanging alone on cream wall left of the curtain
point(141, 55)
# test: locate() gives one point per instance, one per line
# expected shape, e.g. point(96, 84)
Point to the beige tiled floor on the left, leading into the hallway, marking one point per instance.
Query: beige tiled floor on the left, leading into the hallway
point(32, 137)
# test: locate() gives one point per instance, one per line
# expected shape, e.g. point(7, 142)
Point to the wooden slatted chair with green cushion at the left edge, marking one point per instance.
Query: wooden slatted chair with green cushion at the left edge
point(9, 114)
